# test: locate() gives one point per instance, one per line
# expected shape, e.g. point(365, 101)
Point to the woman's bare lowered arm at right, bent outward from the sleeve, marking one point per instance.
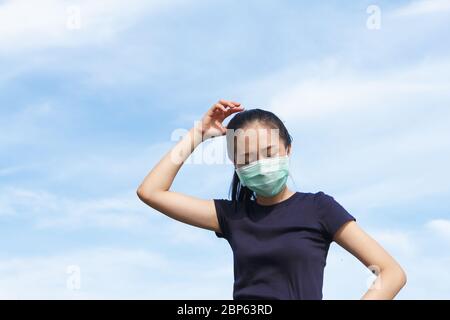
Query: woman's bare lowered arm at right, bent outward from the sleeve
point(390, 275)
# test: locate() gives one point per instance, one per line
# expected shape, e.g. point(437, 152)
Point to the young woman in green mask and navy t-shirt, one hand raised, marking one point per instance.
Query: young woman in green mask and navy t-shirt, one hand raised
point(279, 237)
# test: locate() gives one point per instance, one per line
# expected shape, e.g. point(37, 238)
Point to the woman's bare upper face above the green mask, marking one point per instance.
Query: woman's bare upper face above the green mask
point(254, 142)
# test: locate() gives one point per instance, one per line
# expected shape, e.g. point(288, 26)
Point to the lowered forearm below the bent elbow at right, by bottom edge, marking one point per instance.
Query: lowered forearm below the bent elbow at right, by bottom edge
point(387, 284)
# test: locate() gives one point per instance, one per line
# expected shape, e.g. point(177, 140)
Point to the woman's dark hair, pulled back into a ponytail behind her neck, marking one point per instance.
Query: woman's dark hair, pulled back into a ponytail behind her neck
point(240, 120)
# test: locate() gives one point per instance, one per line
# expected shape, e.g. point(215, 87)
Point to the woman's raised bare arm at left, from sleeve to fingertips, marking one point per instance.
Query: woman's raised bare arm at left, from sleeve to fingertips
point(155, 188)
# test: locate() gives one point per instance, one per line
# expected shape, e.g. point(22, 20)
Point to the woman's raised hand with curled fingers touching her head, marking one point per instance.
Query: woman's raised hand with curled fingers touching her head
point(211, 123)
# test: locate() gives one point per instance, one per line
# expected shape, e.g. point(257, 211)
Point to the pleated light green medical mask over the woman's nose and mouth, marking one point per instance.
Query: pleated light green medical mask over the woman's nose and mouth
point(266, 177)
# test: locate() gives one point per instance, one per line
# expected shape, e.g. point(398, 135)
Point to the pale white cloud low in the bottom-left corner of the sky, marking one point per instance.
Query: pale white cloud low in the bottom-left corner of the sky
point(102, 270)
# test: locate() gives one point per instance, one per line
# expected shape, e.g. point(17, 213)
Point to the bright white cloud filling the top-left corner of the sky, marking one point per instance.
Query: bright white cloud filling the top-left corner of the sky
point(24, 25)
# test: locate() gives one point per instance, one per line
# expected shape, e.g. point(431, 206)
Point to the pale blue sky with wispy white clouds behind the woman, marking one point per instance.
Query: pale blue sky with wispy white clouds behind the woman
point(86, 112)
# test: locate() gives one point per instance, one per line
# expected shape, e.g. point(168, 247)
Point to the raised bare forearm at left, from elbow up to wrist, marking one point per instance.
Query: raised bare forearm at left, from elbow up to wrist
point(162, 175)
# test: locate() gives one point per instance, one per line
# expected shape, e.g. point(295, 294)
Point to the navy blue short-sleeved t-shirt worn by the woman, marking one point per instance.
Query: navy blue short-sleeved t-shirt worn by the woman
point(280, 250)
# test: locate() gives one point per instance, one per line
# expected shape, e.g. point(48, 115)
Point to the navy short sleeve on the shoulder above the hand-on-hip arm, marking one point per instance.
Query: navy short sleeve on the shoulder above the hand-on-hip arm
point(331, 214)
